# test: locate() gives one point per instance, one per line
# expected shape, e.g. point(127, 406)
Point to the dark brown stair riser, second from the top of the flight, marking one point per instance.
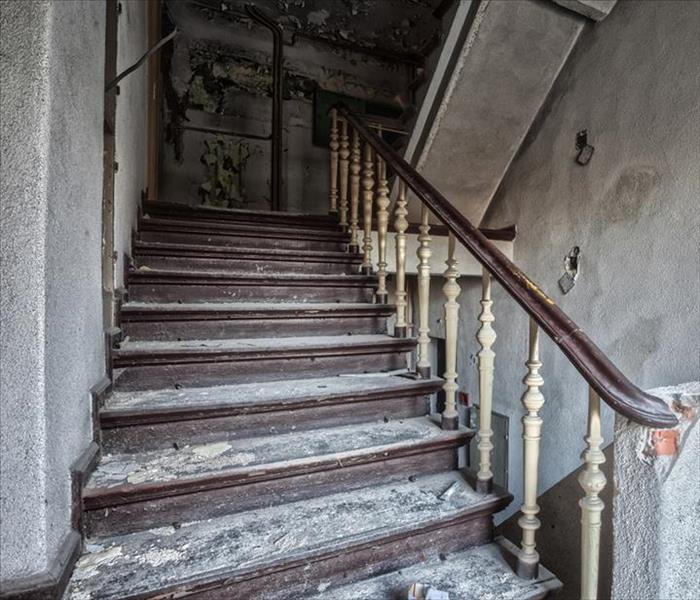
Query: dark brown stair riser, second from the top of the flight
point(241, 241)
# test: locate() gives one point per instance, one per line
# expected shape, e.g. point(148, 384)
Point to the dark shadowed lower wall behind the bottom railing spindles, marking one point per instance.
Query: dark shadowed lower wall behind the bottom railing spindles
point(559, 539)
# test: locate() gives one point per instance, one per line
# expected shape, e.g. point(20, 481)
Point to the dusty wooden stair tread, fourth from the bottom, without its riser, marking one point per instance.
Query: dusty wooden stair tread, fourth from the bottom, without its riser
point(259, 396)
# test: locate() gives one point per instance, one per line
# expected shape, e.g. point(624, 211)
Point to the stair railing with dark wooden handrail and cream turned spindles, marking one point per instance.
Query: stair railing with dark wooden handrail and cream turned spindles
point(605, 381)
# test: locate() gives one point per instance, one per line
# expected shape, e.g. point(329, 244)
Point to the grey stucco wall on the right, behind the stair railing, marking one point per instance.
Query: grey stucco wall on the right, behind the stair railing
point(632, 81)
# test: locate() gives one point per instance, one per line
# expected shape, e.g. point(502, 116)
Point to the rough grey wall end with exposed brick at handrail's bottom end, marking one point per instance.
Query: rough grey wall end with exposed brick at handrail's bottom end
point(657, 505)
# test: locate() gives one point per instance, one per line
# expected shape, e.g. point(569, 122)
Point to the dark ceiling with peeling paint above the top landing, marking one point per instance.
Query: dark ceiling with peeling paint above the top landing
point(402, 29)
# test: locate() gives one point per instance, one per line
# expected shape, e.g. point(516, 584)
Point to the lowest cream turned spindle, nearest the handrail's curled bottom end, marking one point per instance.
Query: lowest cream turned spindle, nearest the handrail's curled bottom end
point(592, 480)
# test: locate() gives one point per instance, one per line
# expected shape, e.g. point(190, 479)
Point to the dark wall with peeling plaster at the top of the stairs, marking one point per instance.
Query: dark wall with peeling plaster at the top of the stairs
point(234, 96)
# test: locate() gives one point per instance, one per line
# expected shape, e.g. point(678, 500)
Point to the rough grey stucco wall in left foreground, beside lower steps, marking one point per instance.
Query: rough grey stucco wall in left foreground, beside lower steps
point(51, 348)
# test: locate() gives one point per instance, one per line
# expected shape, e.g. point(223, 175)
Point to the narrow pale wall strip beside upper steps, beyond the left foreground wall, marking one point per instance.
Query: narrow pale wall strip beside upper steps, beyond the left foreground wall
point(130, 129)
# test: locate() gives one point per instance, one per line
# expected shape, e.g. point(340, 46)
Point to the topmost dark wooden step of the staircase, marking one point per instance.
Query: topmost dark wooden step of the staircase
point(285, 219)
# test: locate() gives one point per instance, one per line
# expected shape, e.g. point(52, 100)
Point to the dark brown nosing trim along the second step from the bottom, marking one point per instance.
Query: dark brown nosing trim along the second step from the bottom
point(207, 583)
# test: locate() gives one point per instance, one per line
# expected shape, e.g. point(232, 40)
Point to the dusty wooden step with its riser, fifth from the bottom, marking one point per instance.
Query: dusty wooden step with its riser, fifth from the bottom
point(162, 364)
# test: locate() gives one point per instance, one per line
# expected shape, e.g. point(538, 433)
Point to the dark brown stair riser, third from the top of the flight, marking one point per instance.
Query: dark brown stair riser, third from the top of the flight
point(247, 265)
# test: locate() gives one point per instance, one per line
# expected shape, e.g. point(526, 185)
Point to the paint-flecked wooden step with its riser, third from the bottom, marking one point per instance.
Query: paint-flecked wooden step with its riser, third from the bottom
point(148, 489)
